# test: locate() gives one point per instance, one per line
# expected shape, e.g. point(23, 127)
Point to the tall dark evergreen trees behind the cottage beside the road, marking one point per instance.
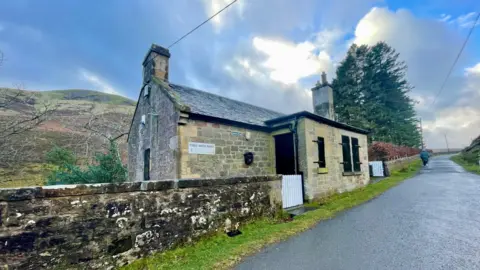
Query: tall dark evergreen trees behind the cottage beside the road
point(371, 92)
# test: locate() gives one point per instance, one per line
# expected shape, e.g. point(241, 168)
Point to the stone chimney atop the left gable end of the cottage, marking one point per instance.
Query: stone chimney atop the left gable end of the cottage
point(156, 63)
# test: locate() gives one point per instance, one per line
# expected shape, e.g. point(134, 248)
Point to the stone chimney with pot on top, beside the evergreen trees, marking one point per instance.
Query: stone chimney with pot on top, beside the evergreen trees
point(322, 95)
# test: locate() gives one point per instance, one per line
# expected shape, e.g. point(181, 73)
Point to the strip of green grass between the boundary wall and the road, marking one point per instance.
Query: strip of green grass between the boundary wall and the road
point(222, 252)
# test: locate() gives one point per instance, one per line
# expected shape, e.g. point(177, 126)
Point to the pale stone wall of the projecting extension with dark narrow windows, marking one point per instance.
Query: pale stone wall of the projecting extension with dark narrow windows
point(320, 184)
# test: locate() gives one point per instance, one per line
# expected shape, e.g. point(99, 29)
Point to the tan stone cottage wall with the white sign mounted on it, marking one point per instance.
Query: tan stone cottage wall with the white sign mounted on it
point(230, 145)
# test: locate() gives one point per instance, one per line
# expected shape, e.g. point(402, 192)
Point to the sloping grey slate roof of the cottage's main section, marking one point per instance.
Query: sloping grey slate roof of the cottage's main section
point(209, 104)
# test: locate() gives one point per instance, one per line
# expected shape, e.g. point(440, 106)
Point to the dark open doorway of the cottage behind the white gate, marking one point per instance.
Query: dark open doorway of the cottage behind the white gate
point(284, 154)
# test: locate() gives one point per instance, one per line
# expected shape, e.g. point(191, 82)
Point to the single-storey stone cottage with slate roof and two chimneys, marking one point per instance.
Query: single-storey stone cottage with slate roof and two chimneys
point(181, 132)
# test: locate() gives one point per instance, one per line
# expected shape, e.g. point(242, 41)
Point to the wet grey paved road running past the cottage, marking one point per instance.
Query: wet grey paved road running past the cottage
point(431, 221)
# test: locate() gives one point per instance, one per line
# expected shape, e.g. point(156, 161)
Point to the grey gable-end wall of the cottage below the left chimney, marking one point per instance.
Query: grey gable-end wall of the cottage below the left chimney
point(159, 134)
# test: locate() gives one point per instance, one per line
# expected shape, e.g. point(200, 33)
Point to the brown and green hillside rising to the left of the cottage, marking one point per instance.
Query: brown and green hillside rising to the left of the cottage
point(81, 121)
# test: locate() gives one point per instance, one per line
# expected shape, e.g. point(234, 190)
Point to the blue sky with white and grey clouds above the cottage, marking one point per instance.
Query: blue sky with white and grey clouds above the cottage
point(266, 52)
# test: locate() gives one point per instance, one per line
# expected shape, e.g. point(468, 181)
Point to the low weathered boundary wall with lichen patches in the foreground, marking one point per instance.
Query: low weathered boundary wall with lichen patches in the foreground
point(102, 226)
